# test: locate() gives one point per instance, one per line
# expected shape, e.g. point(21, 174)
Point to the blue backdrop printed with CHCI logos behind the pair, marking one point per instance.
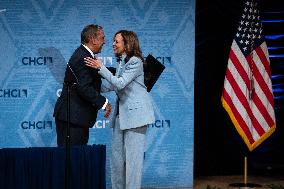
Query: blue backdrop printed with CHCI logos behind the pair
point(37, 39)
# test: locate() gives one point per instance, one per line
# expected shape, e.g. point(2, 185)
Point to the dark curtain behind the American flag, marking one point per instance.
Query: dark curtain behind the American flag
point(218, 148)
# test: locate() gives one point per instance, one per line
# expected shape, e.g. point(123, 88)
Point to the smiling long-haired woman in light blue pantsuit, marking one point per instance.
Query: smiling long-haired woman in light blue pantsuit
point(132, 113)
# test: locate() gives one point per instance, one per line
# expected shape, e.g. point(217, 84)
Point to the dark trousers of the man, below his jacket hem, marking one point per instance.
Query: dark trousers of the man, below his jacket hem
point(78, 135)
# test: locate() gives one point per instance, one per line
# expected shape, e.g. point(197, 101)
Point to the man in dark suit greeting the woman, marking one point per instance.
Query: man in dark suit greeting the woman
point(85, 86)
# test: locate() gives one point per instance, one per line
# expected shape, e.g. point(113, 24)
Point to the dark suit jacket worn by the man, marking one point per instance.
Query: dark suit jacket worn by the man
point(85, 98)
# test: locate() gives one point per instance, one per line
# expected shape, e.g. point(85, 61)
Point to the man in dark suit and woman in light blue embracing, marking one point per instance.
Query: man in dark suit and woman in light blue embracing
point(131, 113)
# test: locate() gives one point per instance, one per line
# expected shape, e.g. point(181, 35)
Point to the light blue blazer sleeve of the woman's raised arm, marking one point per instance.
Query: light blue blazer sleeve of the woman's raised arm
point(133, 68)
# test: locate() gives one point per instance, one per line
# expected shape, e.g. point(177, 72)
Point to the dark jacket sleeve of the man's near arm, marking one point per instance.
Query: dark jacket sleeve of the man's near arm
point(85, 86)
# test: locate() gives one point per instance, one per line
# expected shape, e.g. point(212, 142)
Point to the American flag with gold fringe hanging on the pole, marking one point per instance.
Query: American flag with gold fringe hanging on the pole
point(247, 95)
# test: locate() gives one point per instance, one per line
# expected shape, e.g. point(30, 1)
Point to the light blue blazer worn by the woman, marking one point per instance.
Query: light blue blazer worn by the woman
point(135, 107)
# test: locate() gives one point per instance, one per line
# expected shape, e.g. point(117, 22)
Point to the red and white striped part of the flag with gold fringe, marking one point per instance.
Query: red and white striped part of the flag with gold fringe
point(253, 116)
